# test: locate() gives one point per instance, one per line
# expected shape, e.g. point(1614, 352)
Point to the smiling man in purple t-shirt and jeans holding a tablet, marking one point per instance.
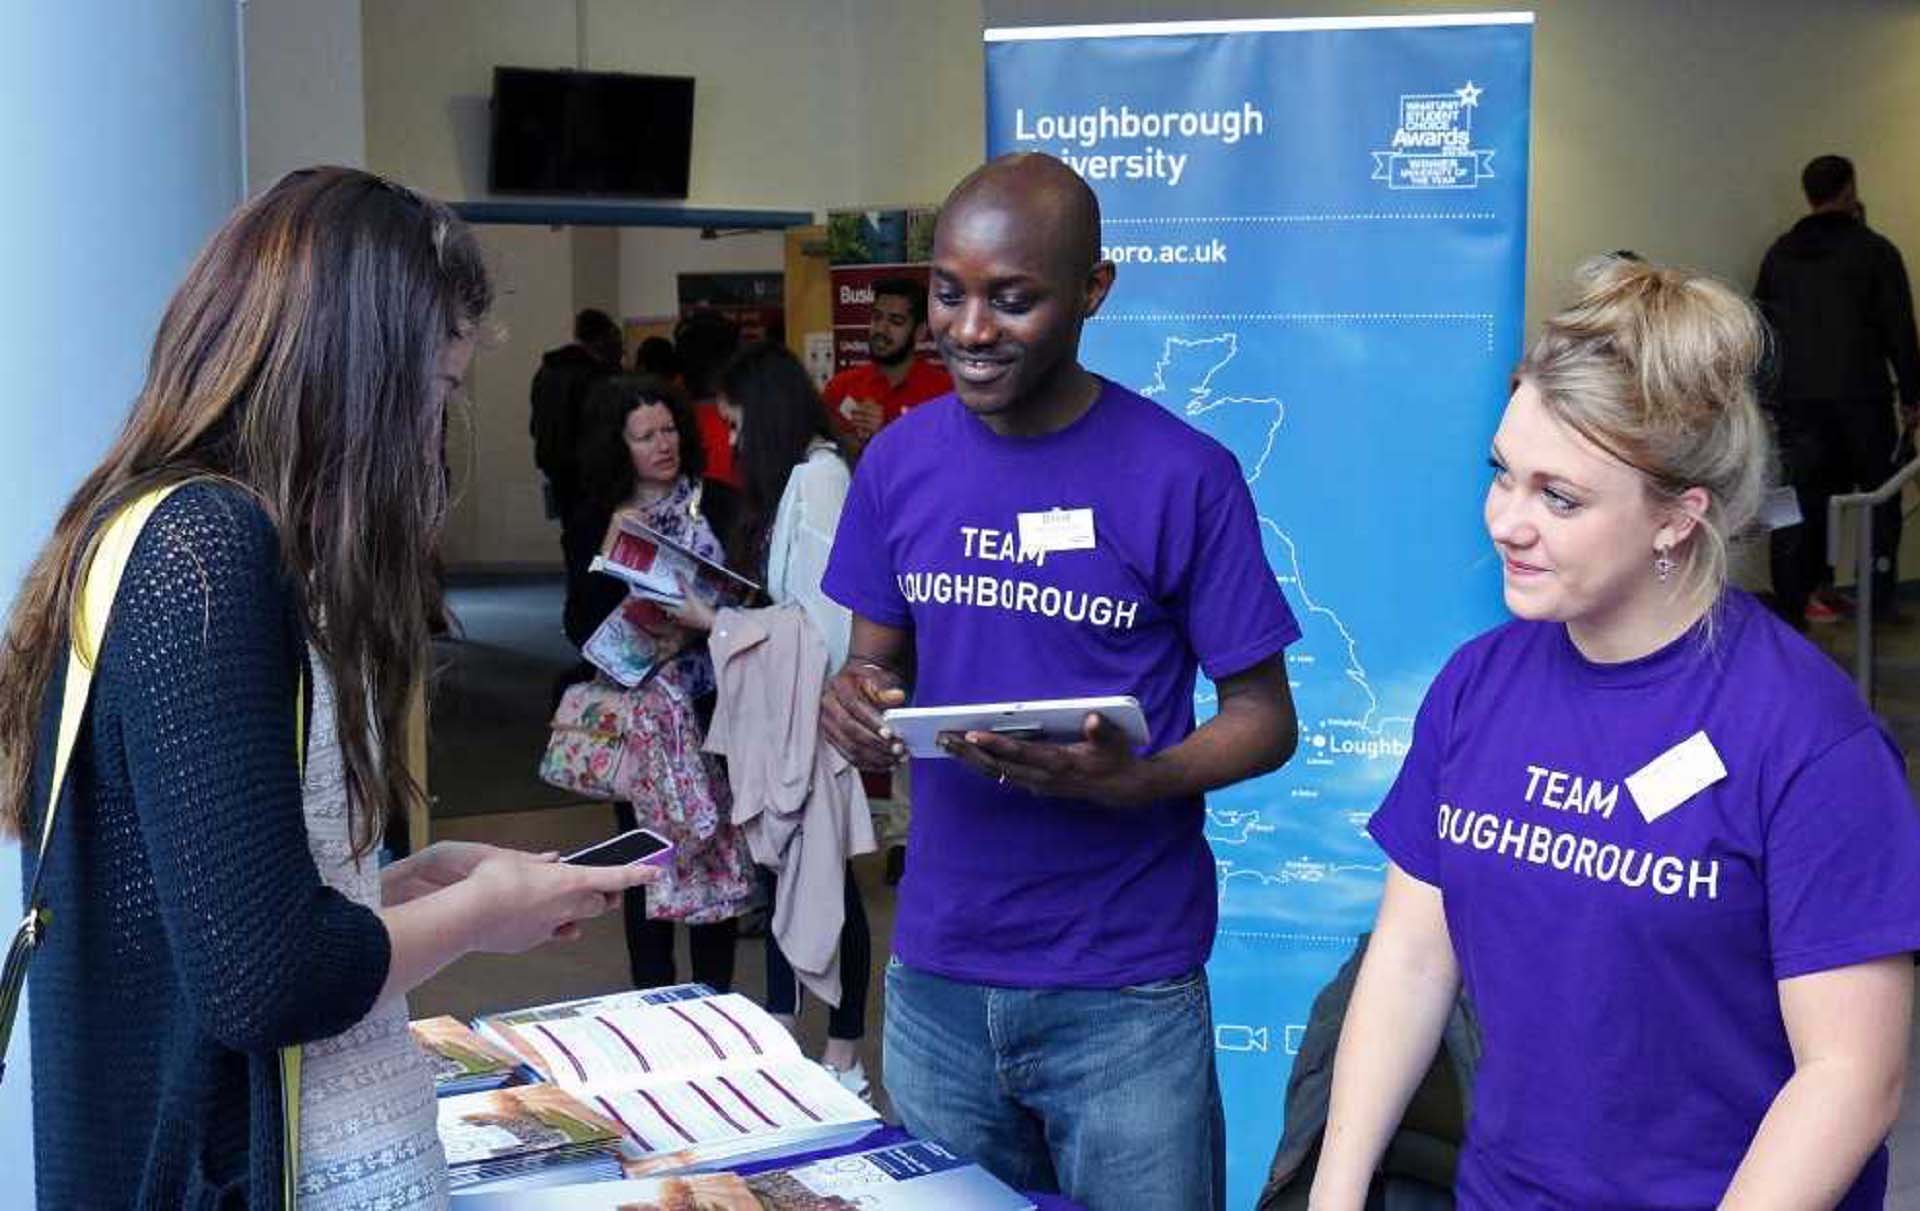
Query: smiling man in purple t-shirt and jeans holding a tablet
point(1047, 534)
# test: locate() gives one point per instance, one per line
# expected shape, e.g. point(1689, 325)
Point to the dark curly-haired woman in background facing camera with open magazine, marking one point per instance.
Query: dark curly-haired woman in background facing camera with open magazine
point(642, 460)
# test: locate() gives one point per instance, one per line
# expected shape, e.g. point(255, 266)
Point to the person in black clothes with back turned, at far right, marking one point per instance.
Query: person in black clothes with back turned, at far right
point(1842, 312)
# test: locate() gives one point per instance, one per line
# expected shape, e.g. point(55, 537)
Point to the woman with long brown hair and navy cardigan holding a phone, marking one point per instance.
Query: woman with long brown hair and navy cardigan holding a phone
point(214, 886)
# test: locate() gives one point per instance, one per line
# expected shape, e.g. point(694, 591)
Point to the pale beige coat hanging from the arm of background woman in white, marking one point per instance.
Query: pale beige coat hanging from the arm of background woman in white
point(796, 799)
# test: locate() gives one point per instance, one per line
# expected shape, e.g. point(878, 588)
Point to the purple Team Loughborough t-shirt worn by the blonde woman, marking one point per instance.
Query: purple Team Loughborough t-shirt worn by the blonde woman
point(1625, 968)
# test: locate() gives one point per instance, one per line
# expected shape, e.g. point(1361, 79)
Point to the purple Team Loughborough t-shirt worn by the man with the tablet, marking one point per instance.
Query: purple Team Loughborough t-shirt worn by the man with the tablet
point(1005, 888)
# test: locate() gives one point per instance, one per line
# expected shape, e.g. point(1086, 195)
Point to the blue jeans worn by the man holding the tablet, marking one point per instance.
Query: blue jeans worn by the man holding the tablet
point(1107, 1097)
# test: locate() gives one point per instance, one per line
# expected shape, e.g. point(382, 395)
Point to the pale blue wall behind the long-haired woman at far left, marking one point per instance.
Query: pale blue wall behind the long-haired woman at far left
point(120, 131)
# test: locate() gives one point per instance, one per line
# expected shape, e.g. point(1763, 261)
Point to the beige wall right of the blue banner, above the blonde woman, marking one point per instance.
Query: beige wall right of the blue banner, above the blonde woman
point(1679, 130)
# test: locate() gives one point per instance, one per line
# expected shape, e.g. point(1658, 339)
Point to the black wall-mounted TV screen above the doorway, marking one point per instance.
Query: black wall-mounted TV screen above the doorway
point(602, 133)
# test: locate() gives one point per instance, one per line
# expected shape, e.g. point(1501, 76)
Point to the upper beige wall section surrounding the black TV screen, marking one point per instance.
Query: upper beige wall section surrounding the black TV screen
point(800, 105)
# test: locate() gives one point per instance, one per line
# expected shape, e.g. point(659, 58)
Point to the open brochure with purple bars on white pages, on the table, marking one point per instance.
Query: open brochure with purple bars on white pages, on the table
point(694, 1083)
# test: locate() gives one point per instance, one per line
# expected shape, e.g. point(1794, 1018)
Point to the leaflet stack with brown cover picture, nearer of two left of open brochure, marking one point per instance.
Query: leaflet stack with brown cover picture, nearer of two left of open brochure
point(531, 1131)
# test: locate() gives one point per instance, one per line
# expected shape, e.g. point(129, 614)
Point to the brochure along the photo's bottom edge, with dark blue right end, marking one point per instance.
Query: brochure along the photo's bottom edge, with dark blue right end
point(903, 1177)
